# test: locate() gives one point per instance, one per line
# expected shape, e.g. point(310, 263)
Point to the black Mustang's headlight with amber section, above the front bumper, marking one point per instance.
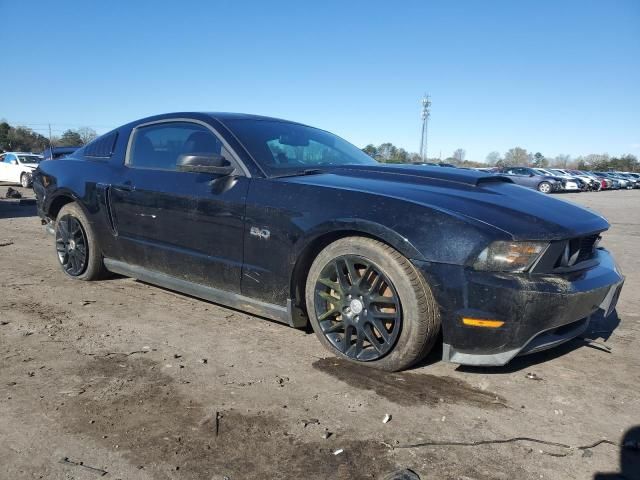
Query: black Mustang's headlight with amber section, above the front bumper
point(509, 256)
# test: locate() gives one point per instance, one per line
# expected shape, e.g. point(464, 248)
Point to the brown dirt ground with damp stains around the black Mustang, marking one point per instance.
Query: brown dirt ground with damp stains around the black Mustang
point(142, 383)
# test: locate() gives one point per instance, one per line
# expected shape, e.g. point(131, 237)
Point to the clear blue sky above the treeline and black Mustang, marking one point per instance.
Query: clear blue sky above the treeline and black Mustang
point(558, 77)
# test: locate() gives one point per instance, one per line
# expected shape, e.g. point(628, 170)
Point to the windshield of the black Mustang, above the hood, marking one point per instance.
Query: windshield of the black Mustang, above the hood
point(280, 147)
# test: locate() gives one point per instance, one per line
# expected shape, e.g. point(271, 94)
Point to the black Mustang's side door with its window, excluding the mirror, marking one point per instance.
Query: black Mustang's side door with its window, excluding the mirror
point(187, 225)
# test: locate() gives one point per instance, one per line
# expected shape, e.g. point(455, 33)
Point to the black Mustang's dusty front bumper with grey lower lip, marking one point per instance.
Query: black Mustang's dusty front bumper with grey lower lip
point(538, 312)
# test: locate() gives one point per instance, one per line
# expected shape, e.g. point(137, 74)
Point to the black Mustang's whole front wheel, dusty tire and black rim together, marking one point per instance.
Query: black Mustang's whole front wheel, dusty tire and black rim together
point(380, 269)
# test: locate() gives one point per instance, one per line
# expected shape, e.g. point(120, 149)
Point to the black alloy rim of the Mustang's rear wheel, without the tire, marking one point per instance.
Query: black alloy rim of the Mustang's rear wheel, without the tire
point(71, 245)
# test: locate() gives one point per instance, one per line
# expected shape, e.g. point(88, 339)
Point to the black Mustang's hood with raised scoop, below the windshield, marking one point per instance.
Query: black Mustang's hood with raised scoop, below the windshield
point(486, 200)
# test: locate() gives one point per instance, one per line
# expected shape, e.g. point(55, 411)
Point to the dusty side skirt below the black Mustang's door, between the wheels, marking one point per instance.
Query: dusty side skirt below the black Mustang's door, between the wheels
point(228, 299)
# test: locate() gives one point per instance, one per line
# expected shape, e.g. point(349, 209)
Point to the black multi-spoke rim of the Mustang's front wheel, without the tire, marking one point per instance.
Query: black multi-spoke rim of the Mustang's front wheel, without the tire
point(358, 308)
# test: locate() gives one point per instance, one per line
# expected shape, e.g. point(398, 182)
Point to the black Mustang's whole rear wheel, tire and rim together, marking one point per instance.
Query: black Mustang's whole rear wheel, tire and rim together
point(80, 233)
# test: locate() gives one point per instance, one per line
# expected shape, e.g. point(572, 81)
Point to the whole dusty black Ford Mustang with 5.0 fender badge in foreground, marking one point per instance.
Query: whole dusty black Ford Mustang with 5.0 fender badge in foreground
point(295, 224)
